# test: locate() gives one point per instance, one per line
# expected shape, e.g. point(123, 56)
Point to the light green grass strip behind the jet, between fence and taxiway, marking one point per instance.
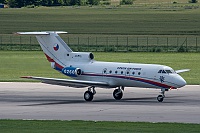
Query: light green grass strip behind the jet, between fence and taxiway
point(15, 64)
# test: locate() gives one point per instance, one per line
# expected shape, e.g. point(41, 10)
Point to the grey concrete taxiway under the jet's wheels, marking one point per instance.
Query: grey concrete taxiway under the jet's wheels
point(42, 101)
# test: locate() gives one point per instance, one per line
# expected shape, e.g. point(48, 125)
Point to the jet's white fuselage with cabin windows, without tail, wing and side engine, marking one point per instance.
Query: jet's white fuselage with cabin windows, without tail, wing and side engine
point(128, 74)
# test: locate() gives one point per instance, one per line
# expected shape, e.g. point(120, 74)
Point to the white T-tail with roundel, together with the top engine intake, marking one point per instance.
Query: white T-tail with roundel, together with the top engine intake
point(58, 53)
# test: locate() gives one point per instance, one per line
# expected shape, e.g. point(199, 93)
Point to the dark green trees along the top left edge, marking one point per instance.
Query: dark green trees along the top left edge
point(25, 3)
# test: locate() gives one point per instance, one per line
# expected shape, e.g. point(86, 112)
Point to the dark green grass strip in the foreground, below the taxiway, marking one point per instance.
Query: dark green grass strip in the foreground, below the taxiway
point(33, 126)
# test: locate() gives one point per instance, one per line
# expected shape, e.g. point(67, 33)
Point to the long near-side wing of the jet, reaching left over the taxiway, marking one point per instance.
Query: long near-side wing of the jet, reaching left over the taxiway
point(68, 82)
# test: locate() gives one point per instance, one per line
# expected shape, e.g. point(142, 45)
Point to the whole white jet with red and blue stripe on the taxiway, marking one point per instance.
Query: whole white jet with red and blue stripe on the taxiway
point(87, 72)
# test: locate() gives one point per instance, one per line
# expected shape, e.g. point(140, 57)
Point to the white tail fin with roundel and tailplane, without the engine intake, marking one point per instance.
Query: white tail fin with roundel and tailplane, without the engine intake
point(53, 46)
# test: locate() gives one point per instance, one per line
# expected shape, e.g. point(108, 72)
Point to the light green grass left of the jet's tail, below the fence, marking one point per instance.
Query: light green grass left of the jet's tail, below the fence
point(17, 64)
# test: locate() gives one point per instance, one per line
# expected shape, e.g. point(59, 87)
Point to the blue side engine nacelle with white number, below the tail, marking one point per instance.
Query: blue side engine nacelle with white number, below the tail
point(71, 71)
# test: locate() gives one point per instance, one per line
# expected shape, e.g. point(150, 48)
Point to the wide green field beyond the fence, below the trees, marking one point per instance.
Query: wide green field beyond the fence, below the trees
point(142, 19)
